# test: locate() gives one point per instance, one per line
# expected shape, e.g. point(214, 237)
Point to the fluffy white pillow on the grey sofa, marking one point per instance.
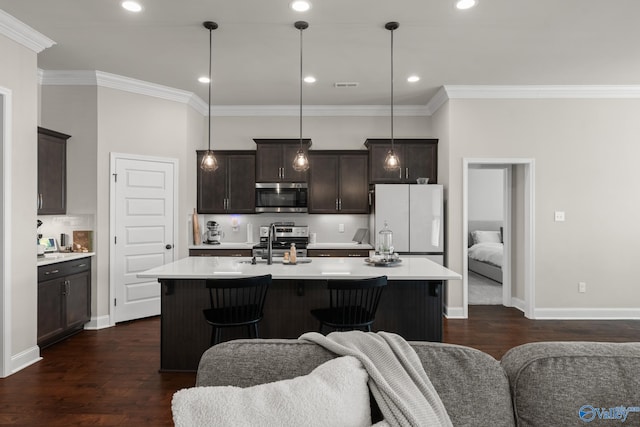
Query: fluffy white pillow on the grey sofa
point(335, 394)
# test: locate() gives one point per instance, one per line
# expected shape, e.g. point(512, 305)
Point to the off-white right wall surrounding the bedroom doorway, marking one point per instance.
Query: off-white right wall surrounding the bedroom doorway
point(586, 153)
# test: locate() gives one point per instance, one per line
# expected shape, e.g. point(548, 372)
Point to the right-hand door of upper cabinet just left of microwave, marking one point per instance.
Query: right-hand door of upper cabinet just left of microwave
point(241, 180)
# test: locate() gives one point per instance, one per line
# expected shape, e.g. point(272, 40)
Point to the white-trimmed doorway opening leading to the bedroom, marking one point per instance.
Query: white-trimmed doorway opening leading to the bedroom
point(514, 230)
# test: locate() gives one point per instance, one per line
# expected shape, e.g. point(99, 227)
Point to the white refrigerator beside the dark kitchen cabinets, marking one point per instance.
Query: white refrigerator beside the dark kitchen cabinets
point(414, 213)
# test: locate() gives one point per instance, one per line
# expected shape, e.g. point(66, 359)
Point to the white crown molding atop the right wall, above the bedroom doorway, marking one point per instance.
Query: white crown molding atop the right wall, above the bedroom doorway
point(543, 92)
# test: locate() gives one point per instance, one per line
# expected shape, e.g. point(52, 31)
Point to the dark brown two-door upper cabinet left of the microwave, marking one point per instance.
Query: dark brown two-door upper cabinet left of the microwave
point(231, 188)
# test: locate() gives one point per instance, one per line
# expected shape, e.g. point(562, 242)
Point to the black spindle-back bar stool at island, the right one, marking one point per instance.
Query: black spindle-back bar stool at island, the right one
point(352, 304)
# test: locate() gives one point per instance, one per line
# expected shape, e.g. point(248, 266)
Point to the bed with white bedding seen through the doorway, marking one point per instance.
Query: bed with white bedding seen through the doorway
point(485, 252)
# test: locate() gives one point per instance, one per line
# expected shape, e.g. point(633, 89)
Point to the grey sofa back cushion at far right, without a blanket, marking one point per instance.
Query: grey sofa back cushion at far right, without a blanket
point(572, 383)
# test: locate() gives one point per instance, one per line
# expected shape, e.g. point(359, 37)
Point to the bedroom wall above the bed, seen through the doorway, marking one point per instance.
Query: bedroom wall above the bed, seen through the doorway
point(486, 194)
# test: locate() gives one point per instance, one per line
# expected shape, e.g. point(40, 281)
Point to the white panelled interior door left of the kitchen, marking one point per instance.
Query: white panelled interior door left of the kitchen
point(143, 192)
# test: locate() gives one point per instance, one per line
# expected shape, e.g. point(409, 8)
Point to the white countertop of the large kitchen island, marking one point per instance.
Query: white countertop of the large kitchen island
point(317, 269)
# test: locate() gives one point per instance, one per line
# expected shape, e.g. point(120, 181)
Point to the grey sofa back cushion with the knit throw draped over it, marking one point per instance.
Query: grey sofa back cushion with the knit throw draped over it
point(471, 384)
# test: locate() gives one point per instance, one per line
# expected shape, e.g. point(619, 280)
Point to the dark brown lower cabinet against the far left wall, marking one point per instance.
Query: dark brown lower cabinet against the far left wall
point(64, 299)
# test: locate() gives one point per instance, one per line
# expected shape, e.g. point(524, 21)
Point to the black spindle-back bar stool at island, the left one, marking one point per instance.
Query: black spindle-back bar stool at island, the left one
point(236, 302)
